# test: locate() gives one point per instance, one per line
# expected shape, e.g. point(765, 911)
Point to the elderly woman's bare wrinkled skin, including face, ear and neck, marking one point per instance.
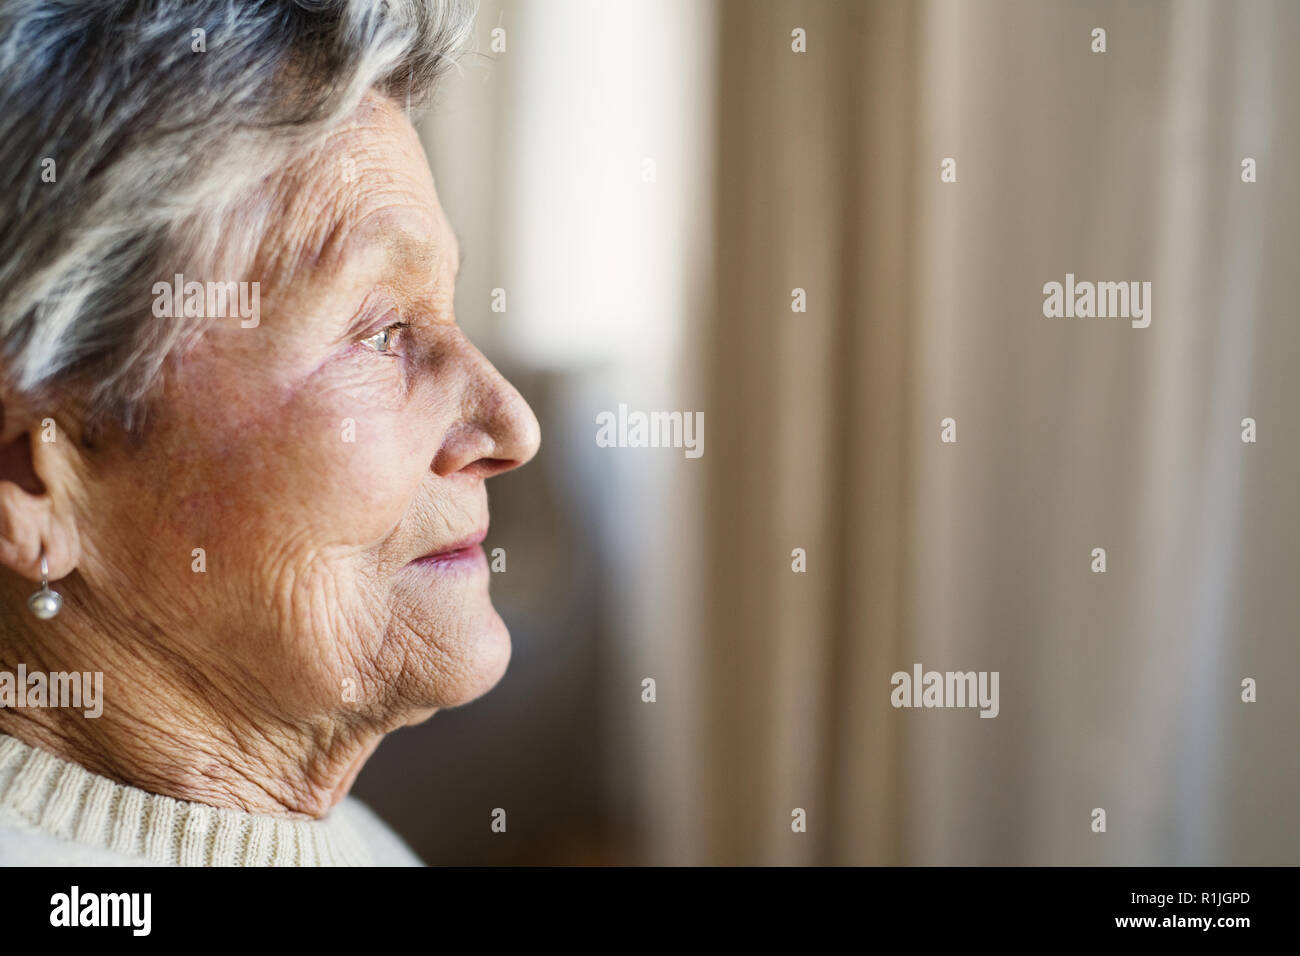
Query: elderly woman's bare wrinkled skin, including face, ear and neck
point(265, 682)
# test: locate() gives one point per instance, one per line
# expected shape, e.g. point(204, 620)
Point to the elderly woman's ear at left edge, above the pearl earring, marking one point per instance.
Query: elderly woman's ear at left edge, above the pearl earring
point(37, 479)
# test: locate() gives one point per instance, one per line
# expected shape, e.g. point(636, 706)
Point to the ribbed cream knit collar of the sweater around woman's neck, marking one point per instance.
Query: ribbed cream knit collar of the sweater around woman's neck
point(68, 802)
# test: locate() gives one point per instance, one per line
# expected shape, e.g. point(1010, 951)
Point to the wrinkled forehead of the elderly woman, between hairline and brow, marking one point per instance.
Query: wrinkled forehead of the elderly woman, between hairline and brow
point(366, 185)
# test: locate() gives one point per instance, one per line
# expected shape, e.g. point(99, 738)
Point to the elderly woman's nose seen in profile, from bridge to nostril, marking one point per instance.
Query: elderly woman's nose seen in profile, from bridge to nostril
point(499, 431)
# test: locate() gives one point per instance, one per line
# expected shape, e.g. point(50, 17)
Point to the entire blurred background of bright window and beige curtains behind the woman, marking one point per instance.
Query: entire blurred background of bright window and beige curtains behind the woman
point(640, 188)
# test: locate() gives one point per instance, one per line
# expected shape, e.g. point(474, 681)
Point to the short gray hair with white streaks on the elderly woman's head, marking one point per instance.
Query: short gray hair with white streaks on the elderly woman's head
point(151, 142)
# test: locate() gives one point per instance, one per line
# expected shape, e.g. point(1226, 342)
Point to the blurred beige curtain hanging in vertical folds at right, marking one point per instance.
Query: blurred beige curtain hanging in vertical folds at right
point(925, 301)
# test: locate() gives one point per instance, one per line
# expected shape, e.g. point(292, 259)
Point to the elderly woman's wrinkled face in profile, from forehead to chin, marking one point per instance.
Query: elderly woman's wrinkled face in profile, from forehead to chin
point(330, 461)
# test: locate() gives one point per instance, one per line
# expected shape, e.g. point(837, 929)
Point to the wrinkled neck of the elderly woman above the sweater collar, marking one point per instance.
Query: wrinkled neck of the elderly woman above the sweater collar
point(166, 730)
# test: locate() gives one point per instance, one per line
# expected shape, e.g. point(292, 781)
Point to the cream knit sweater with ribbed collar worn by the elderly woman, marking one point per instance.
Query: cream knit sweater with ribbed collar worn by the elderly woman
point(55, 814)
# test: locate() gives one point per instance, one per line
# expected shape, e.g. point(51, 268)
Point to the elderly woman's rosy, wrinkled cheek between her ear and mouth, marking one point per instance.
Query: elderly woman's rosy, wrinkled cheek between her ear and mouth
point(296, 508)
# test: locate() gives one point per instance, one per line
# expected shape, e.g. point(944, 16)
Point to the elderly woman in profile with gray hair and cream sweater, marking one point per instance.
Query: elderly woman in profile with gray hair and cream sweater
point(245, 442)
